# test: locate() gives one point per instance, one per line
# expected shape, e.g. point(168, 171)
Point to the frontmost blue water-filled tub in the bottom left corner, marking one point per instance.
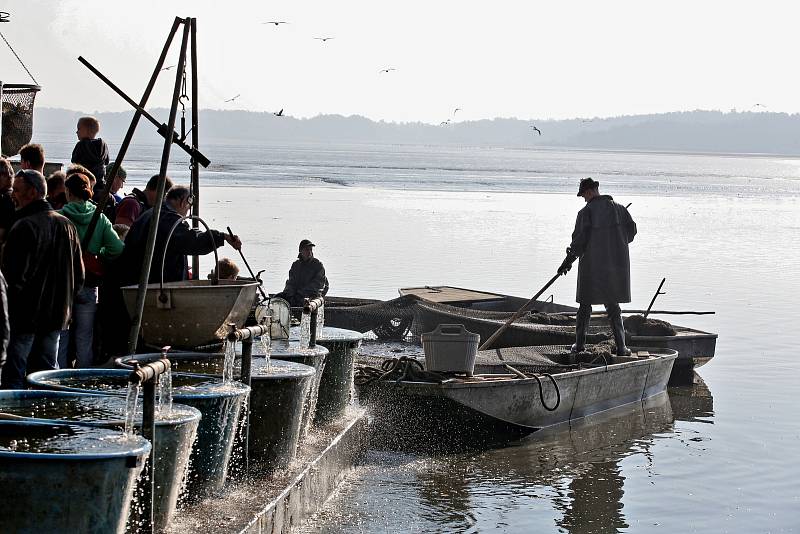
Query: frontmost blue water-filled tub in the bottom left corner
point(66, 478)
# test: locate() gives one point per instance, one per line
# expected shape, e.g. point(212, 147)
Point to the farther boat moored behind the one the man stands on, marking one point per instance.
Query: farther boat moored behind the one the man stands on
point(483, 313)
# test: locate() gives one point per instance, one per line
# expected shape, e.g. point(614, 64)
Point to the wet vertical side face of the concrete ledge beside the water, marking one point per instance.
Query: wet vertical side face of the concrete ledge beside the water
point(310, 489)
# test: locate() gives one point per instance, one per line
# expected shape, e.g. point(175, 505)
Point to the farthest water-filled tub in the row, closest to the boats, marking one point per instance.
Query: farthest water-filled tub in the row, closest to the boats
point(336, 382)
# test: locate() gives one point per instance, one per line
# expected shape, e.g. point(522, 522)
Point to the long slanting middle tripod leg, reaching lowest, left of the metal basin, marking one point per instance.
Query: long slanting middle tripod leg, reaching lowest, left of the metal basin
point(144, 277)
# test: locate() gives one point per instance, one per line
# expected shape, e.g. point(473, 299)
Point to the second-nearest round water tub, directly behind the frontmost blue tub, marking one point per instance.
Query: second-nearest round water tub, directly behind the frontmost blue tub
point(174, 435)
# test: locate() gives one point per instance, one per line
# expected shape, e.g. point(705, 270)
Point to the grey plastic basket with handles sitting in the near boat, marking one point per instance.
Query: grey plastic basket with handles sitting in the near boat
point(450, 349)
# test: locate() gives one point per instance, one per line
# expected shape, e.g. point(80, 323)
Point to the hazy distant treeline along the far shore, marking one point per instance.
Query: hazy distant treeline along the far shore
point(690, 131)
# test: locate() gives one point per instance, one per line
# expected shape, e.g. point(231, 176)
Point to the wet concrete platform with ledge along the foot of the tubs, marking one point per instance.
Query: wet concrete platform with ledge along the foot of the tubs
point(278, 503)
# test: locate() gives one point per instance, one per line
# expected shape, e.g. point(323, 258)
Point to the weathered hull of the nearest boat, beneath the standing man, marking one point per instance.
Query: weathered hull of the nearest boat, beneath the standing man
point(483, 409)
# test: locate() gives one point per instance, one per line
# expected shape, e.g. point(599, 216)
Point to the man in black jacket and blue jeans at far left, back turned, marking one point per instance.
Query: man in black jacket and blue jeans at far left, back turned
point(44, 270)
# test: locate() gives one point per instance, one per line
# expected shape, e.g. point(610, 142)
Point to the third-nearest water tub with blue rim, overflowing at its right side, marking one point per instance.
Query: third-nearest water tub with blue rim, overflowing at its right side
point(219, 403)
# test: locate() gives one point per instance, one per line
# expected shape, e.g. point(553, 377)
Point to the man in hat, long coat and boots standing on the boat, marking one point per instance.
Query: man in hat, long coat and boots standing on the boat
point(602, 232)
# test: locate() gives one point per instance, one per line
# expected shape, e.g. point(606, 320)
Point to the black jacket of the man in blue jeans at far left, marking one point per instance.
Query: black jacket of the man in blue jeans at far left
point(44, 270)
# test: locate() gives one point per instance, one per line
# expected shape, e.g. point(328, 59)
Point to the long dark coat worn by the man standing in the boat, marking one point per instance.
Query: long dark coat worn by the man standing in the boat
point(603, 230)
